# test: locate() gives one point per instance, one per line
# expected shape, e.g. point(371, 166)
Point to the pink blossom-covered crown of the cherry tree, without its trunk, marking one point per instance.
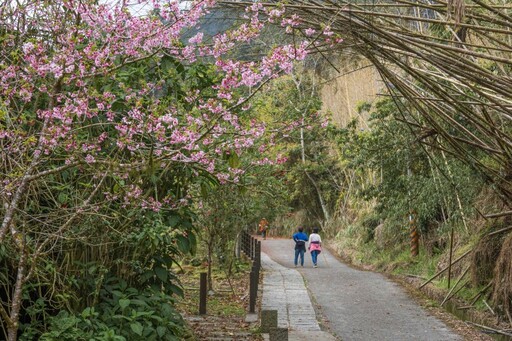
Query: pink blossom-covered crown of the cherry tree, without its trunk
point(69, 88)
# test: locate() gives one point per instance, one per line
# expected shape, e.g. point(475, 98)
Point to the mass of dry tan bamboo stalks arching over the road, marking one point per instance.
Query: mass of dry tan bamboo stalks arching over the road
point(441, 75)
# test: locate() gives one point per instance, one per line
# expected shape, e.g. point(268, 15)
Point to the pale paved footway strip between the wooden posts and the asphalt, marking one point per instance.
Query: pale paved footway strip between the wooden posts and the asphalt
point(284, 290)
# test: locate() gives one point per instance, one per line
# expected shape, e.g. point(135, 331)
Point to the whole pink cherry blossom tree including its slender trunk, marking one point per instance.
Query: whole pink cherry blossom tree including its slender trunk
point(99, 104)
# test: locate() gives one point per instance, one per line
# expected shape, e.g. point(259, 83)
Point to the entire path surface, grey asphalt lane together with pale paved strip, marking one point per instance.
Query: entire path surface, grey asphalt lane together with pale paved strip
point(355, 305)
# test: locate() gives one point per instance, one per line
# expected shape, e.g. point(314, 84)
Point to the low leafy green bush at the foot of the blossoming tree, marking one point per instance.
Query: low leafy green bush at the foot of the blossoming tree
point(125, 313)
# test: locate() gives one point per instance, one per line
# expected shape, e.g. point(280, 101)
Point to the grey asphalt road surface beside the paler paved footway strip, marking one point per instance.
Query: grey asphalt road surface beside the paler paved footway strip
point(358, 305)
